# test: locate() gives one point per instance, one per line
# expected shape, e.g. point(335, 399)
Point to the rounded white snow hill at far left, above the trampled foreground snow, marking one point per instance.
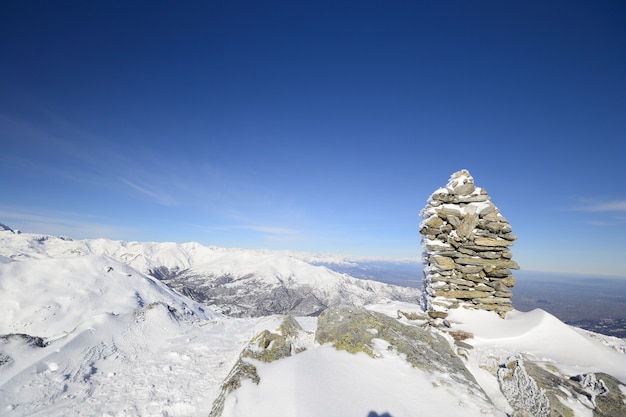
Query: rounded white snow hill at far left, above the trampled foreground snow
point(97, 284)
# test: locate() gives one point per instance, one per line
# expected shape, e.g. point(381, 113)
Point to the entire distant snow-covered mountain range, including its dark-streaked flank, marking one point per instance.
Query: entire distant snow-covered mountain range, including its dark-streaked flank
point(238, 282)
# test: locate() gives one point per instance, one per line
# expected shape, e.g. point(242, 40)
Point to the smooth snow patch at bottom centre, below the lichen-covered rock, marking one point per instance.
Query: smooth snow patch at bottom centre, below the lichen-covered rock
point(326, 382)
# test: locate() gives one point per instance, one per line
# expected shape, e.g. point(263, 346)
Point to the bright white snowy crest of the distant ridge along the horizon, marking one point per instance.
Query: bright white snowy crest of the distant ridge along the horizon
point(269, 266)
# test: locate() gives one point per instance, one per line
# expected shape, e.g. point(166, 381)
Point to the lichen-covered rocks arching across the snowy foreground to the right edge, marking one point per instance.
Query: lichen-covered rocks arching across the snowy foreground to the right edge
point(529, 387)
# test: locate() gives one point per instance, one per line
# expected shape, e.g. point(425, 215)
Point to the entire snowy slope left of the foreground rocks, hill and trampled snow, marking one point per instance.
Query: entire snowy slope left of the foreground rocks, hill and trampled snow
point(117, 342)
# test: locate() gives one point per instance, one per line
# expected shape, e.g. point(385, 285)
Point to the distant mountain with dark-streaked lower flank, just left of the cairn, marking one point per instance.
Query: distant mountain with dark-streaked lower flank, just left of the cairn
point(279, 284)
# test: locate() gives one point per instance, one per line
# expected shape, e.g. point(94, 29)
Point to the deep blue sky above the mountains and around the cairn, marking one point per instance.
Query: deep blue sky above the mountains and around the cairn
point(316, 126)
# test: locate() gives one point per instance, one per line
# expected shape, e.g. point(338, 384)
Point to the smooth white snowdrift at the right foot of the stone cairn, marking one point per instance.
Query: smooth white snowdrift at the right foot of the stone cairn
point(541, 337)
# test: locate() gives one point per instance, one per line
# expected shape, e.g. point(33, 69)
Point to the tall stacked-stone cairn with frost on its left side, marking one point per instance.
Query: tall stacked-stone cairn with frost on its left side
point(467, 262)
